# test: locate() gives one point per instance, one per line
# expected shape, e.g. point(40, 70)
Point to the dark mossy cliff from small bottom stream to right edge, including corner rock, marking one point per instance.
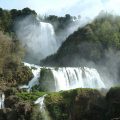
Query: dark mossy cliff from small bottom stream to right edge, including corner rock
point(84, 104)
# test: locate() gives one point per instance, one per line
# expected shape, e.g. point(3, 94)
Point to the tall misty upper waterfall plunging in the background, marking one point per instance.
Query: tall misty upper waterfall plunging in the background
point(38, 38)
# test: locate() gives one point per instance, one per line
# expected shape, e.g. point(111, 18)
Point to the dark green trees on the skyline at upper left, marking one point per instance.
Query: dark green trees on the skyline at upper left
point(8, 18)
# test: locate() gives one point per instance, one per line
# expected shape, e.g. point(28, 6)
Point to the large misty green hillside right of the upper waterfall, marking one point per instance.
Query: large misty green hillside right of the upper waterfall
point(89, 43)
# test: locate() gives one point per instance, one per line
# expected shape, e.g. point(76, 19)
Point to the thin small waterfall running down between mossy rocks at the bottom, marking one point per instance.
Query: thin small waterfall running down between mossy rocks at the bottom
point(43, 110)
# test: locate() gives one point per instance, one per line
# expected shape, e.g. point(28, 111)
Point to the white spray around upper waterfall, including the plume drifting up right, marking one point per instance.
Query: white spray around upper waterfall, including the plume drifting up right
point(39, 38)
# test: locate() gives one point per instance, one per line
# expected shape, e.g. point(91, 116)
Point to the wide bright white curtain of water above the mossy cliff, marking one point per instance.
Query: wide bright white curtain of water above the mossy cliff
point(70, 78)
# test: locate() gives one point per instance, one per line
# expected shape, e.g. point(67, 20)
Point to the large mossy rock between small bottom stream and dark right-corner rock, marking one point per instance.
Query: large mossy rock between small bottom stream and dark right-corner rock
point(78, 104)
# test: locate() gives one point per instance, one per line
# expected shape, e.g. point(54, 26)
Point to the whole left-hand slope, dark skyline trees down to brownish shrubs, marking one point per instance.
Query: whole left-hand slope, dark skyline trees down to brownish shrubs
point(11, 50)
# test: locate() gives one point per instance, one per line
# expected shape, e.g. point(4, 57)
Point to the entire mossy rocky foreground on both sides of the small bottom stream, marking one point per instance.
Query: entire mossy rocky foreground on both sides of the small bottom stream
point(77, 104)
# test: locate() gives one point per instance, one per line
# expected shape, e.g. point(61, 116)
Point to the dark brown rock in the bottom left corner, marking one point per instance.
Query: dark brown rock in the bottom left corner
point(21, 111)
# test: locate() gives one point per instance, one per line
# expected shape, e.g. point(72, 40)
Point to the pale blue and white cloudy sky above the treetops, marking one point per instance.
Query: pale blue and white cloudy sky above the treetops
point(86, 8)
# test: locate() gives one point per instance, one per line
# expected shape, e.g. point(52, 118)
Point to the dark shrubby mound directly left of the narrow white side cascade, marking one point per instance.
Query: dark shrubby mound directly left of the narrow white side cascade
point(13, 77)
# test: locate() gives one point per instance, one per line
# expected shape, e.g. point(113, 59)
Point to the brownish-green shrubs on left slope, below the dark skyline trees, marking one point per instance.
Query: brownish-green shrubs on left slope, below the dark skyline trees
point(11, 55)
